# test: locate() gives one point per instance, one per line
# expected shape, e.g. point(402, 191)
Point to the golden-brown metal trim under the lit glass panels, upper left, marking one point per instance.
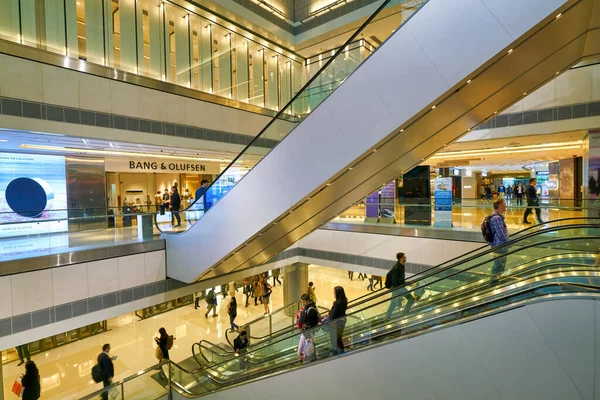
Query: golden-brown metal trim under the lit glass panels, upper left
point(58, 60)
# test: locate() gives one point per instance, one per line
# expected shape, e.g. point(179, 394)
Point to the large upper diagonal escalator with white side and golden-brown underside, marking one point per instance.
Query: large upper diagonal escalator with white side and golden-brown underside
point(429, 83)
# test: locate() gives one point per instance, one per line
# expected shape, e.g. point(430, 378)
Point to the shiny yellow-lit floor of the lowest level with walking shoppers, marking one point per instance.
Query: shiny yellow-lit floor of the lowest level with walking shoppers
point(66, 370)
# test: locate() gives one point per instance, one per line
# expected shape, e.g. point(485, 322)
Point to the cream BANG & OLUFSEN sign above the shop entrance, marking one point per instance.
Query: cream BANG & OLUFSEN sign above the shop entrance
point(159, 165)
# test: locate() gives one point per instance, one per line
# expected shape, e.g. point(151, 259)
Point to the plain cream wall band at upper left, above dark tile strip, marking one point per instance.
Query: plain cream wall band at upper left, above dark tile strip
point(29, 80)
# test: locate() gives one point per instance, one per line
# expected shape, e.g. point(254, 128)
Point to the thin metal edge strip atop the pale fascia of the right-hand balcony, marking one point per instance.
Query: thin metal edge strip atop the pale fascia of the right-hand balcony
point(401, 230)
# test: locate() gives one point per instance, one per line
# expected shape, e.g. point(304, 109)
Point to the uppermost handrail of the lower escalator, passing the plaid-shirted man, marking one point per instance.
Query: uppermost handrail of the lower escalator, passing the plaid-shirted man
point(486, 249)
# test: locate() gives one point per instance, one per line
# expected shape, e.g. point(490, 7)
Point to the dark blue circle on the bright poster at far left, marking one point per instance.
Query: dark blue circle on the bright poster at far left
point(29, 197)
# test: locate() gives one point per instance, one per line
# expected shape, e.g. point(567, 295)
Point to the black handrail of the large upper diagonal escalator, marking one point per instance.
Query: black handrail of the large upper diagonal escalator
point(306, 86)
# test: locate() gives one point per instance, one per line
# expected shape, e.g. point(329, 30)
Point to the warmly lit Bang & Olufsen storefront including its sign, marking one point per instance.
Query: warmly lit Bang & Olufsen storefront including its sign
point(140, 183)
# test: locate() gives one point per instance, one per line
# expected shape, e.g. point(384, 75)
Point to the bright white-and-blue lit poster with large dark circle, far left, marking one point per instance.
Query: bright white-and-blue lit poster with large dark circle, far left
point(33, 194)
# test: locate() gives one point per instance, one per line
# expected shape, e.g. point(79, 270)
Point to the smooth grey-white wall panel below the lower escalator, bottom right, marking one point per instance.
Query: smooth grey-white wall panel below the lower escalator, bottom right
point(542, 351)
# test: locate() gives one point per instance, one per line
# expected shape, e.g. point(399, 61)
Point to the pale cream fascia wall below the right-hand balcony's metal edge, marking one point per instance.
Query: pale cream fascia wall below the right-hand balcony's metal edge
point(418, 250)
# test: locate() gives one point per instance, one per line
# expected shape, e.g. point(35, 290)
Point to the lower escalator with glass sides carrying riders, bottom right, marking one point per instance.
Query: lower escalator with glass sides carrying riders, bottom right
point(553, 264)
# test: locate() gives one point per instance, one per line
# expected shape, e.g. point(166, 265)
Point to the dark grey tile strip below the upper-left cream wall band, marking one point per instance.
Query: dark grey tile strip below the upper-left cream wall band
point(49, 112)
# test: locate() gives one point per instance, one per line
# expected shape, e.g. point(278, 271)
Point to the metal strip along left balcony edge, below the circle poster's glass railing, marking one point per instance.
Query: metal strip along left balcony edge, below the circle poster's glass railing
point(77, 257)
